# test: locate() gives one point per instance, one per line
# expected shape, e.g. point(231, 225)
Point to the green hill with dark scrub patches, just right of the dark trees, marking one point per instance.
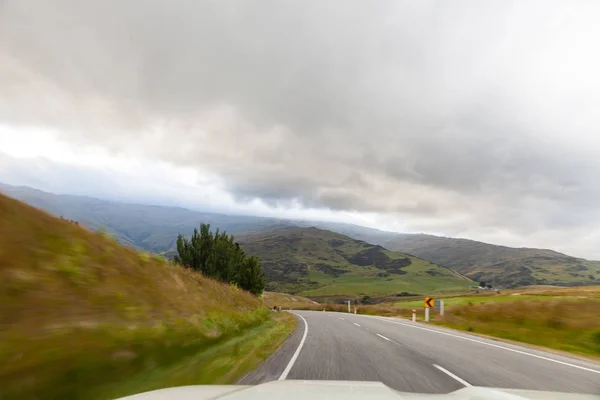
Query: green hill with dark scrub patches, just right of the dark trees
point(315, 262)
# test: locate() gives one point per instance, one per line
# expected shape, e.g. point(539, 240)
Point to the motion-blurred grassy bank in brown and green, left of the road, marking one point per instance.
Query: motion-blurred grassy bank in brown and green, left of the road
point(83, 317)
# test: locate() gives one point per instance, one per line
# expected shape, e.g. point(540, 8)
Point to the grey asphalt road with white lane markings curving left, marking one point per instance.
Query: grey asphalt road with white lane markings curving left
point(417, 357)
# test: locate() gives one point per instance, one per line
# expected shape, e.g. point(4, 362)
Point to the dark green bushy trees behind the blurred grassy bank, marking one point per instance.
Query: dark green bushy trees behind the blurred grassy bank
point(218, 256)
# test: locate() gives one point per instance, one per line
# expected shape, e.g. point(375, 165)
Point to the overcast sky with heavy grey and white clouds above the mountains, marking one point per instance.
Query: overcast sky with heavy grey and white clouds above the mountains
point(466, 118)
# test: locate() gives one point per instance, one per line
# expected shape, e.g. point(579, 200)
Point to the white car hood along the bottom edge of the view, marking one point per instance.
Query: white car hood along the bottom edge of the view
point(346, 390)
